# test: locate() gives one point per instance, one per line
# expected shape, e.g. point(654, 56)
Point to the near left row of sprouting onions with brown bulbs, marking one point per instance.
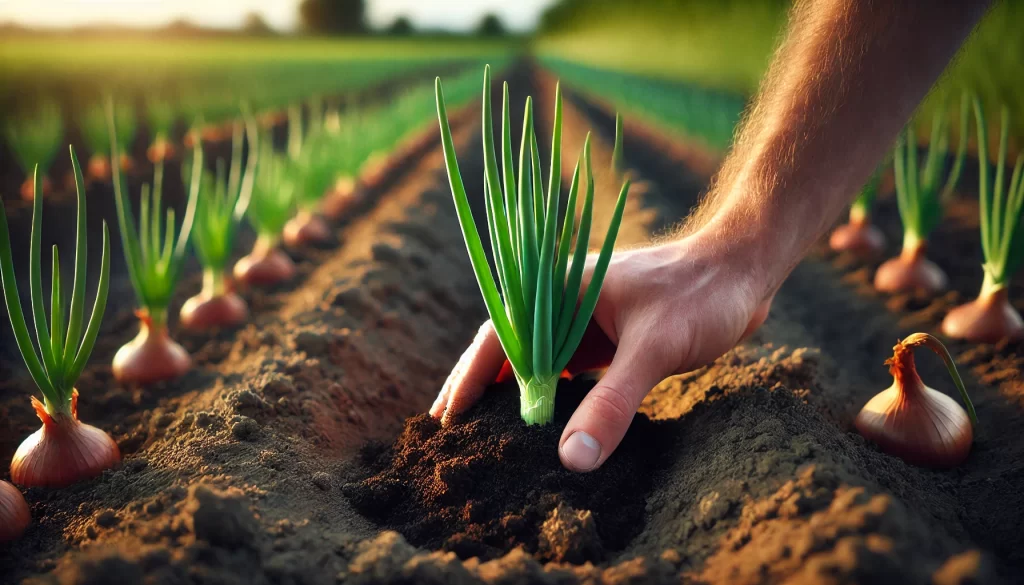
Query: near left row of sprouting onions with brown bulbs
point(330, 164)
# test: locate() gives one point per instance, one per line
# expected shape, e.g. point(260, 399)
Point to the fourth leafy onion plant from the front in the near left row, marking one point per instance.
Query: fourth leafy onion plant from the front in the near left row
point(273, 204)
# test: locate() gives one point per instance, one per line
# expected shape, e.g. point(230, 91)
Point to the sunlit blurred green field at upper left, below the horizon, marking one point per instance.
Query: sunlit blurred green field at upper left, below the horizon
point(206, 79)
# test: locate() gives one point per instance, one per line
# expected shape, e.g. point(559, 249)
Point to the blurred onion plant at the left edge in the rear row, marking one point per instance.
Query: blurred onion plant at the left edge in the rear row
point(35, 139)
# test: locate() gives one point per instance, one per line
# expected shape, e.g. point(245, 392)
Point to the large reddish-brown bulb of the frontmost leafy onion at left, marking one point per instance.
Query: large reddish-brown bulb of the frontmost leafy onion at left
point(64, 451)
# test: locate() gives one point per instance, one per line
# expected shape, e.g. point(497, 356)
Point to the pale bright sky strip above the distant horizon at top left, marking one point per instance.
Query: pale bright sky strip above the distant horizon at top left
point(452, 15)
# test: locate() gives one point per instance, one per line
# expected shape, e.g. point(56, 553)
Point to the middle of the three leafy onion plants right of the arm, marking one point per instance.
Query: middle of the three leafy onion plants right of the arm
point(920, 195)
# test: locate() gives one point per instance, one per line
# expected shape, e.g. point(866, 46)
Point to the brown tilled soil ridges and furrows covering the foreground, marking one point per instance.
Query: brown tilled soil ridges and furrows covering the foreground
point(745, 472)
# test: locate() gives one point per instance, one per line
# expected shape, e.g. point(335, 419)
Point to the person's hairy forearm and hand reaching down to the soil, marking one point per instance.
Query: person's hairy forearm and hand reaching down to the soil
point(841, 87)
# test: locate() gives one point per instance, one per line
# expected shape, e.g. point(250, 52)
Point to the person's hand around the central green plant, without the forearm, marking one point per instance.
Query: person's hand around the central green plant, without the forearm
point(663, 311)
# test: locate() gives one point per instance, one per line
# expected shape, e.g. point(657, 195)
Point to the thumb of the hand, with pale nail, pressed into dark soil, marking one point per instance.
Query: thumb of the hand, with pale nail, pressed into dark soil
point(605, 415)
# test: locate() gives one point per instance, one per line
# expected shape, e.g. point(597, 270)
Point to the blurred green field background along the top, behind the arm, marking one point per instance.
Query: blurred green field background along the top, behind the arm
point(688, 66)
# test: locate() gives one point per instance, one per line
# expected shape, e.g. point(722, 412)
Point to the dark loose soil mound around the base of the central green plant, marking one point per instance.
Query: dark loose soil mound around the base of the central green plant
point(487, 483)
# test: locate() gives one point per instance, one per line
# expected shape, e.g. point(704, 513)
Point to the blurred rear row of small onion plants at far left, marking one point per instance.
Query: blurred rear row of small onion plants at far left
point(35, 134)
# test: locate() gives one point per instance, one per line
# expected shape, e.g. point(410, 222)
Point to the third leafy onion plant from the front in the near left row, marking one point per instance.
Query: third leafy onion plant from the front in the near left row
point(223, 204)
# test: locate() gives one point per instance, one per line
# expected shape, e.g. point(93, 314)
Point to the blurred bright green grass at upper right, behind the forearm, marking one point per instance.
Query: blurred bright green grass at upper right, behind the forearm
point(728, 46)
